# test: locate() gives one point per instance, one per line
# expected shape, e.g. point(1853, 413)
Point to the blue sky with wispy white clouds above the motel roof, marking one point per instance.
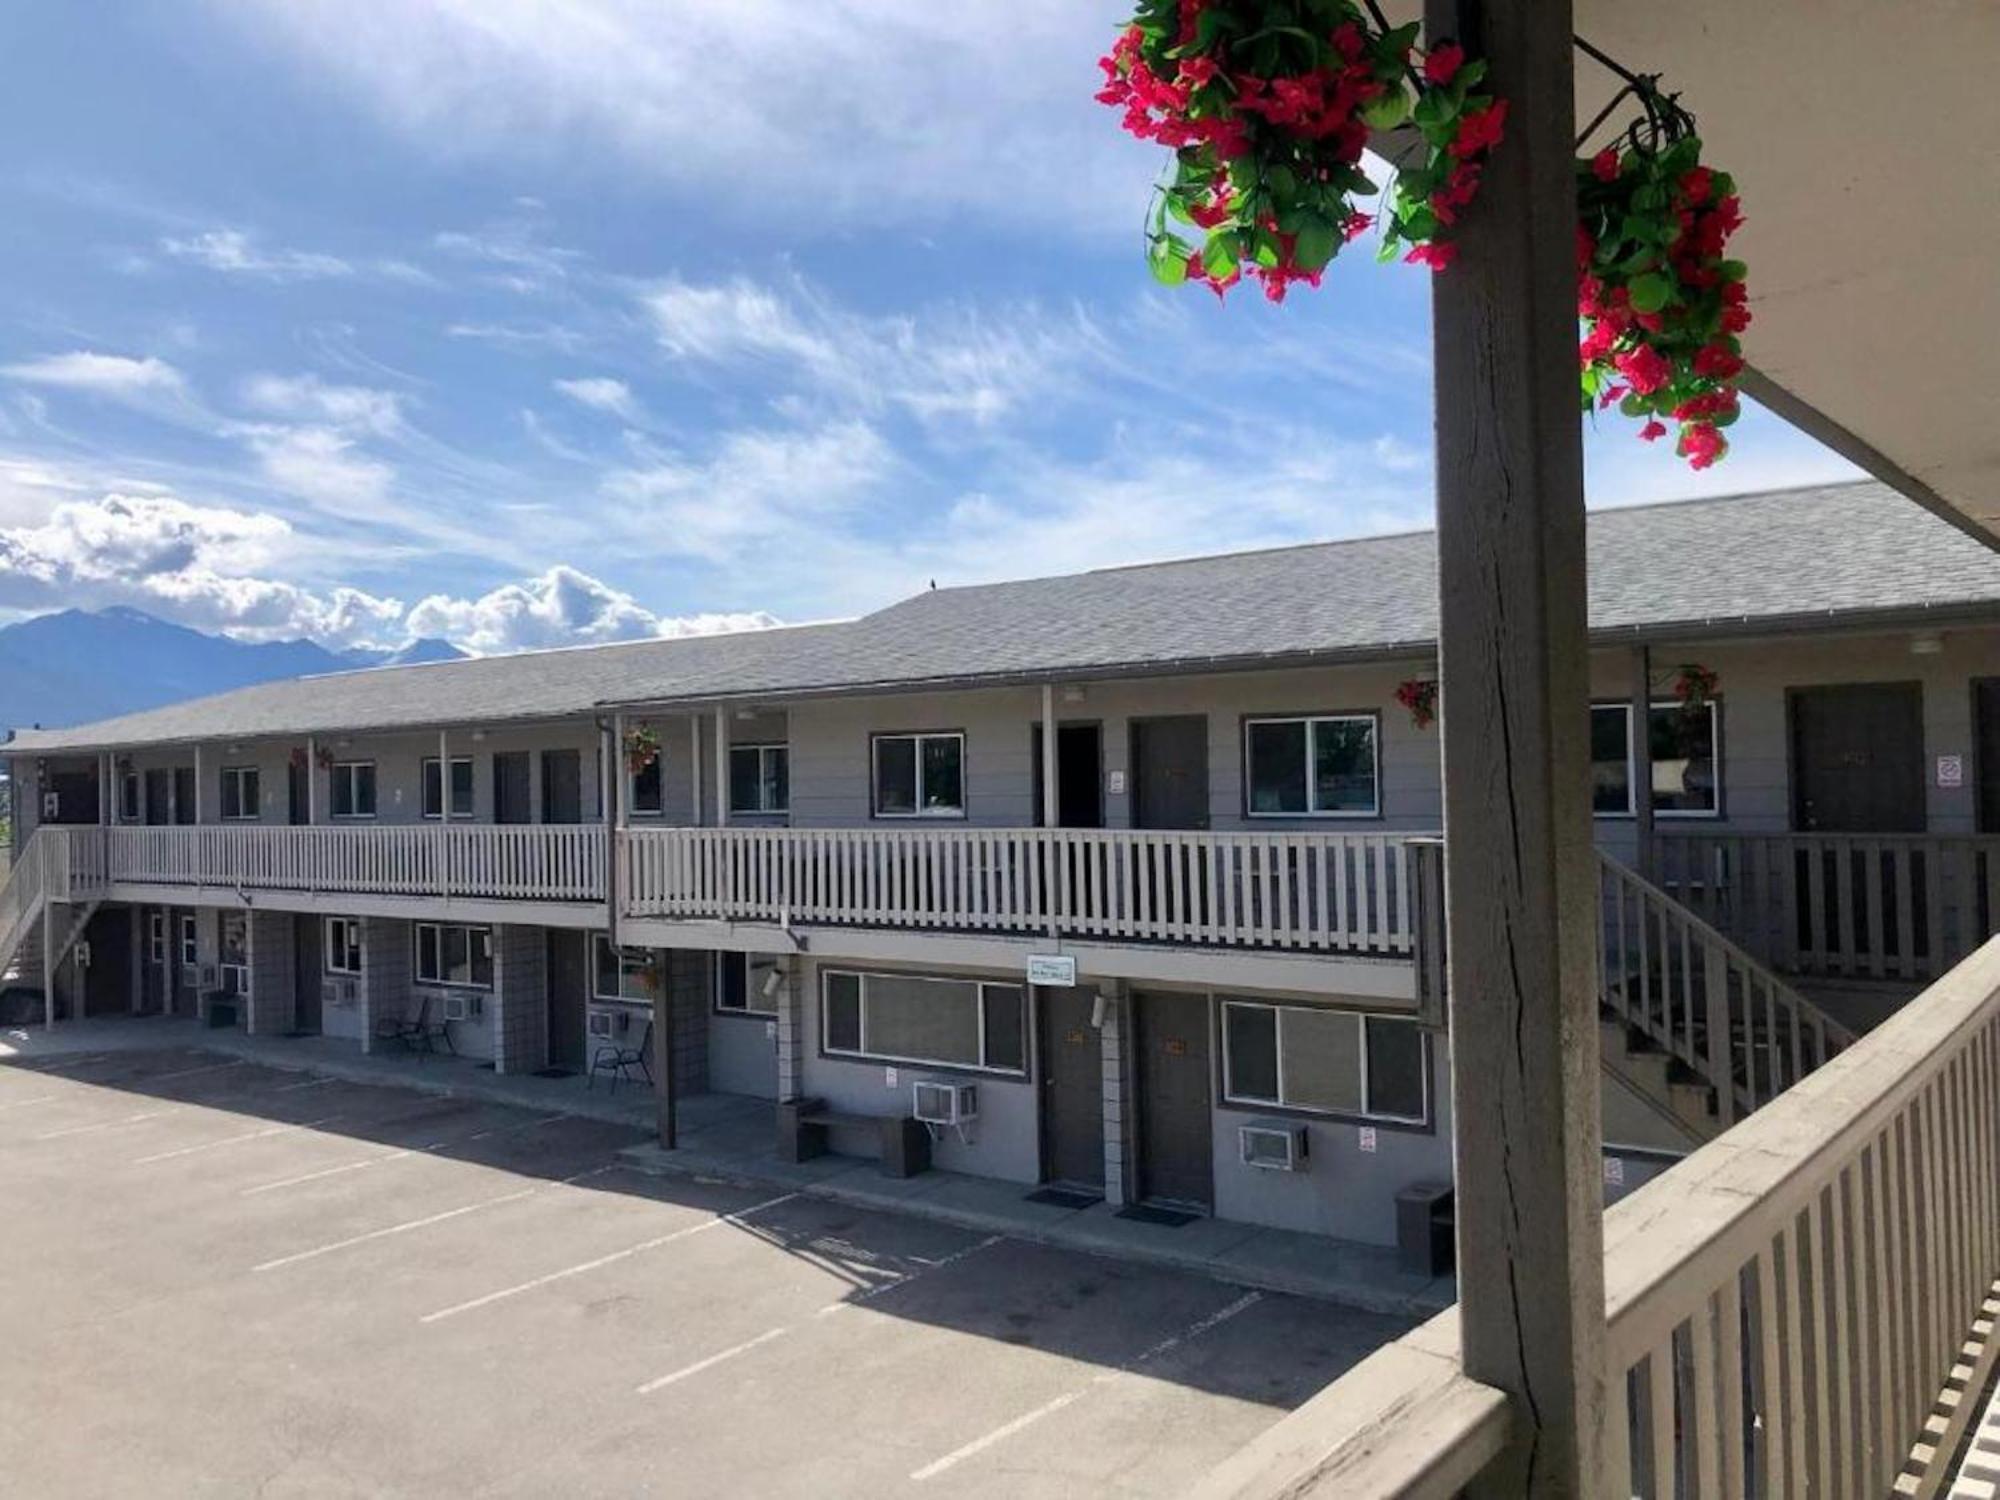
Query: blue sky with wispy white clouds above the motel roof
point(367, 319)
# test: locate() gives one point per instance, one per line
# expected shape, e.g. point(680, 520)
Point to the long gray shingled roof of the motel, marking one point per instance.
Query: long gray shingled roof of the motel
point(1745, 563)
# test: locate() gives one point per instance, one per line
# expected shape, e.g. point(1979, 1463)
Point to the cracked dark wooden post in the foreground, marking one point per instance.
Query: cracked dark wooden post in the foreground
point(1517, 791)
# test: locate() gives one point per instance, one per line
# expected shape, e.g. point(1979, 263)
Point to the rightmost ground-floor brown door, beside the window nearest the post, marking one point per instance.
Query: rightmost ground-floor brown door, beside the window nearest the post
point(1175, 1129)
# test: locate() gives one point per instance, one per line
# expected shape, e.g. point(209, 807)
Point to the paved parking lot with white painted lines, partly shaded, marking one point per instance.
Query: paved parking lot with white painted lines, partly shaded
point(229, 1279)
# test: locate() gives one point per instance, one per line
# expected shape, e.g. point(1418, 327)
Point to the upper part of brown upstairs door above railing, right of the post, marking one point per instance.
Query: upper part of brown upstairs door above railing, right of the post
point(1859, 759)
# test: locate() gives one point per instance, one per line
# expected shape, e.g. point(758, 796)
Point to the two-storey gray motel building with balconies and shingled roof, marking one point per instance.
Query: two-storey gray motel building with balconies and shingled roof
point(1125, 883)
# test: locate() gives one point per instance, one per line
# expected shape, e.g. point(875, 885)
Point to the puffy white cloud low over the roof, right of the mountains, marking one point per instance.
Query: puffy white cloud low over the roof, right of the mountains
point(561, 609)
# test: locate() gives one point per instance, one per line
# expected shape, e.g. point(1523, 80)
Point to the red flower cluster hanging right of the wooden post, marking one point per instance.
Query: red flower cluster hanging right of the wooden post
point(1661, 305)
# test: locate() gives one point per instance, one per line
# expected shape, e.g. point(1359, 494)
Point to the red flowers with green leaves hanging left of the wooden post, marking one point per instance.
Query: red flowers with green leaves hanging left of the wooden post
point(1267, 119)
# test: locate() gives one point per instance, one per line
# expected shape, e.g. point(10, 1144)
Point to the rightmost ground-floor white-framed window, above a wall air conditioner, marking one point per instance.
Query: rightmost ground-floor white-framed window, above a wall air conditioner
point(1325, 1061)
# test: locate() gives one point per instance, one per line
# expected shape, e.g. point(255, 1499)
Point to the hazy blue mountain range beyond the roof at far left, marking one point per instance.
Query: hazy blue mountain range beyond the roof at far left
point(85, 665)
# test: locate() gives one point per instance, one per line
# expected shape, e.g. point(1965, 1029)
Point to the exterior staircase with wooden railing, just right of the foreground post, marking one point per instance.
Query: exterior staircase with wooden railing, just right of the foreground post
point(1691, 1023)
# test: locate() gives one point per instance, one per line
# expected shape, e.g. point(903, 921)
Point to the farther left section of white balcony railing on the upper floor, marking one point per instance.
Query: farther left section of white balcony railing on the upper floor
point(555, 863)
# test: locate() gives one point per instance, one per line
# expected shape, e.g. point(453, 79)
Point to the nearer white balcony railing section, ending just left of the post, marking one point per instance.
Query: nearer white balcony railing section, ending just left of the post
point(1319, 893)
